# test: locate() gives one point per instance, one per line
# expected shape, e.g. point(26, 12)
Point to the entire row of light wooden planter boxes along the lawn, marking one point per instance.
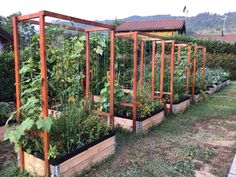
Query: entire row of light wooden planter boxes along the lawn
point(86, 156)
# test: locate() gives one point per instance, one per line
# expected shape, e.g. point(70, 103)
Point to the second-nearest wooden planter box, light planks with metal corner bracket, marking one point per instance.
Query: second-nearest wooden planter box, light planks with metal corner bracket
point(142, 125)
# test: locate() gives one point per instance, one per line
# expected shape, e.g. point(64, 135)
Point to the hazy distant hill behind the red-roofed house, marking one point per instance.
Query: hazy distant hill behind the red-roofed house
point(203, 23)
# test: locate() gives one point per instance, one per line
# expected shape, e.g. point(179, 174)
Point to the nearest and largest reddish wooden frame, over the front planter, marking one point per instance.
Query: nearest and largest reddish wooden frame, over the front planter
point(41, 22)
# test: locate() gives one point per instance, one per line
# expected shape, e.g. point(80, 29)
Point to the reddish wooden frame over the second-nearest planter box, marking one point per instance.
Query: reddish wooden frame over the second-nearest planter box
point(134, 36)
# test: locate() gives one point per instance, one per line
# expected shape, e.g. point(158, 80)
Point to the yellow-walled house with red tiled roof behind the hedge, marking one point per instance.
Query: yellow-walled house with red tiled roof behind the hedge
point(157, 27)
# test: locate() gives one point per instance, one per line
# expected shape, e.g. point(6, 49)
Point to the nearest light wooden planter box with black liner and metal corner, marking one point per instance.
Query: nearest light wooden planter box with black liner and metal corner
point(76, 164)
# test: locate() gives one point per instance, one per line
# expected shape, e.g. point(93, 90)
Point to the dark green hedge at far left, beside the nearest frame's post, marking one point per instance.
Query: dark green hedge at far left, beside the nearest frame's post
point(7, 80)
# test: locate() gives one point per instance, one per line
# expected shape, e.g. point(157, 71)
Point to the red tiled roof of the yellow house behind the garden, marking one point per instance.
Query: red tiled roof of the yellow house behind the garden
point(151, 25)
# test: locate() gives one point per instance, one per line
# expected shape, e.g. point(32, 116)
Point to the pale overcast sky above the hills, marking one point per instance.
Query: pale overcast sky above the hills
point(108, 9)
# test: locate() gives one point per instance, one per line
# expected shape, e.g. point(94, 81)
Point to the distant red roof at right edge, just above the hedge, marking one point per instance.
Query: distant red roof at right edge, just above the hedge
point(225, 37)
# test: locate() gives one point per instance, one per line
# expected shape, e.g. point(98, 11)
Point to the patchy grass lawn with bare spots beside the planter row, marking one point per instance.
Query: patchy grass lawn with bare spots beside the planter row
point(199, 142)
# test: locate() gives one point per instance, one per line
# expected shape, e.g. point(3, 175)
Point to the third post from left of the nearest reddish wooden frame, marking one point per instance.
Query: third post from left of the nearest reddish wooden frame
point(87, 77)
